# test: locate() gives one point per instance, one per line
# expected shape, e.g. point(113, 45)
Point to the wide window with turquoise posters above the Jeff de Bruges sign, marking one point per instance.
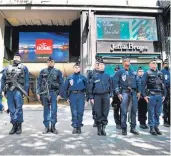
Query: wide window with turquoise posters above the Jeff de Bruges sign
point(126, 28)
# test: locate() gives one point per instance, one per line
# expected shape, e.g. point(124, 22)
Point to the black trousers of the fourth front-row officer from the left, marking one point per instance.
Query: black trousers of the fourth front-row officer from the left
point(101, 107)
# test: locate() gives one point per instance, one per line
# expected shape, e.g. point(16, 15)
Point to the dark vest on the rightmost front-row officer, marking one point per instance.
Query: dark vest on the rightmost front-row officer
point(155, 80)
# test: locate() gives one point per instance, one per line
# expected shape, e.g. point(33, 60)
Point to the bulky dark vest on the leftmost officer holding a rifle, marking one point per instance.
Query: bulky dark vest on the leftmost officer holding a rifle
point(15, 73)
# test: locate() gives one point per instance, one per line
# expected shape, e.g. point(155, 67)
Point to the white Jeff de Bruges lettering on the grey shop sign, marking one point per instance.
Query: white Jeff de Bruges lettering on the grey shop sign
point(129, 46)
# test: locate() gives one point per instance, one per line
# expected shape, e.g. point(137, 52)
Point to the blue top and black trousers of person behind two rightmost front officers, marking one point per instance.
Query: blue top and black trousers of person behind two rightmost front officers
point(142, 105)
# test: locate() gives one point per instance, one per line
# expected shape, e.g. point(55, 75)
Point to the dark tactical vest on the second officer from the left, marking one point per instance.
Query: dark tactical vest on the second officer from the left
point(51, 77)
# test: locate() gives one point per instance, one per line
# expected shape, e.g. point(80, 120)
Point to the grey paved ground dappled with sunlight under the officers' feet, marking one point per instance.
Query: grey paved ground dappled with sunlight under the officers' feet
point(33, 142)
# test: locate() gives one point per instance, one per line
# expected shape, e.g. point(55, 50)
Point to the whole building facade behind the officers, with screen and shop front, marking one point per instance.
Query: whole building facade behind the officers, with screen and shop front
point(81, 29)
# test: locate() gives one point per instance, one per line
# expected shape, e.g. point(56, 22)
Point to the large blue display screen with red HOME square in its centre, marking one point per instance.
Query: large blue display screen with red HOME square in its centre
point(38, 46)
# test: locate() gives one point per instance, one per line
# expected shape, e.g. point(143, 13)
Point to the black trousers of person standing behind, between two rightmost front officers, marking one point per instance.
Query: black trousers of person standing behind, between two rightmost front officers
point(142, 111)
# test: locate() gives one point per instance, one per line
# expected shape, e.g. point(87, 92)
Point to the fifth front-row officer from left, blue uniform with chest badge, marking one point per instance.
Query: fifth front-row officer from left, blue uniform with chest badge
point(126, 89)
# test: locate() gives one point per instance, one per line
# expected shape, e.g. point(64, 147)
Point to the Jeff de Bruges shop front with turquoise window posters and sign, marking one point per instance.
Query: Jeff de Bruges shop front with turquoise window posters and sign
point(136, 37)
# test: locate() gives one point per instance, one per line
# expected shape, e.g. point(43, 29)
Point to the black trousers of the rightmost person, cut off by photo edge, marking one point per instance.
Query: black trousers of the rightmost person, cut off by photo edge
point(166, 108)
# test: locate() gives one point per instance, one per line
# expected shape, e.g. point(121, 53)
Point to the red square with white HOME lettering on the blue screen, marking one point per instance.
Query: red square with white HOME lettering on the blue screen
point(44, 46)
